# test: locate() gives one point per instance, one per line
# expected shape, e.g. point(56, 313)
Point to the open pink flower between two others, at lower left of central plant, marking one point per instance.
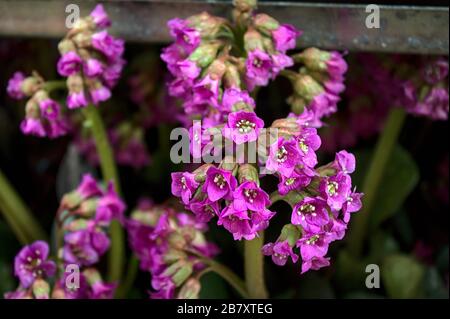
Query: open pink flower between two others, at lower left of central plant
point(219, 184)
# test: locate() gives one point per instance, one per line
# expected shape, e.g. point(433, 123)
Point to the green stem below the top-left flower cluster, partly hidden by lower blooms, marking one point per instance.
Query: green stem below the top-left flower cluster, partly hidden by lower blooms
point(109, 171)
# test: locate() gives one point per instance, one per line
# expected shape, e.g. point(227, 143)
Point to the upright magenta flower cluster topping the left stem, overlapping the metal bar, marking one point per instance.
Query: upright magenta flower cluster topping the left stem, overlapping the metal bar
point(91, 59)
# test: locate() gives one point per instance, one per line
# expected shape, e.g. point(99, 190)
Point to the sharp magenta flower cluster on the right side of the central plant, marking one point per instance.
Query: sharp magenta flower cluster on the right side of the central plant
point(321, 211)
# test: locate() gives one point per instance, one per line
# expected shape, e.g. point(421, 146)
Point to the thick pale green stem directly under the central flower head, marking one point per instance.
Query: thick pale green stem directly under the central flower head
point(254, 268)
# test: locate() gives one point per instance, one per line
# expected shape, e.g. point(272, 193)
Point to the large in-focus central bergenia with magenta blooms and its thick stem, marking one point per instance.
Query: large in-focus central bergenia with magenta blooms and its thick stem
point(218, 67)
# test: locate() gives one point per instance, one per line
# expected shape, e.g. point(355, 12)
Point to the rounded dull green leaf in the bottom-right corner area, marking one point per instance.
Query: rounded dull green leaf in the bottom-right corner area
point(402, 276)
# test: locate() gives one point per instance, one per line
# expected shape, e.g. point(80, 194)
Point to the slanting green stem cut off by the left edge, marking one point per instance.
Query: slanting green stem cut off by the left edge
point(18, 215)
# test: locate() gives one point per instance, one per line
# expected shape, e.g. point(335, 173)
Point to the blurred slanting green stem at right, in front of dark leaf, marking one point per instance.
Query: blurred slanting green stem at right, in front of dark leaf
point(385, 145)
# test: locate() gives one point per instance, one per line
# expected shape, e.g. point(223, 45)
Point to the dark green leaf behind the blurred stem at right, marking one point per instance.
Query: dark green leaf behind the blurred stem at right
point(400, 178)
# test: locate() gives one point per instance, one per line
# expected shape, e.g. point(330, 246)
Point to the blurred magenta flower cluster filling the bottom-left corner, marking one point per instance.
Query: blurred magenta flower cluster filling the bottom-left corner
point(84, 218)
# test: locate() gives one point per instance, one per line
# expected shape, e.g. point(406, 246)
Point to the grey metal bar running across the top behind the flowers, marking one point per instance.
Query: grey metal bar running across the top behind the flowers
point(407, 29)
